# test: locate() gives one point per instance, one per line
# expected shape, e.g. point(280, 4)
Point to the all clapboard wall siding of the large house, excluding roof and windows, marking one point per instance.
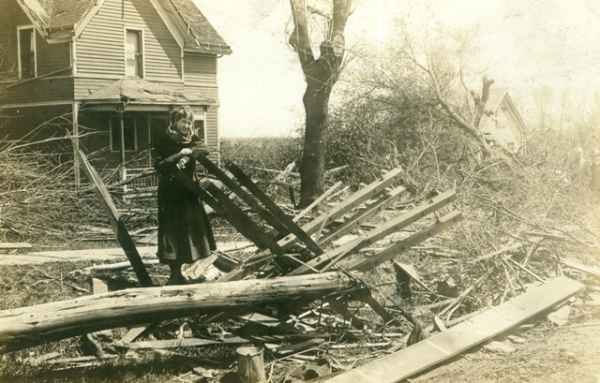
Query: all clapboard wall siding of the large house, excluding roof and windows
point(100, 55)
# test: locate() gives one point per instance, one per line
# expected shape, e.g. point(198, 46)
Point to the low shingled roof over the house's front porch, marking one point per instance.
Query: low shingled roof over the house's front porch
point(142, 92)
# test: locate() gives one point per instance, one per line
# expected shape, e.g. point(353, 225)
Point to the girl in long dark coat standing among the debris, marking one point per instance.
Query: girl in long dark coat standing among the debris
point(184, 233)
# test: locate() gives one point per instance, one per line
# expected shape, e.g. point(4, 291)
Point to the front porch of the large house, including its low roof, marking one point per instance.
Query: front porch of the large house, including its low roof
point(128, 117)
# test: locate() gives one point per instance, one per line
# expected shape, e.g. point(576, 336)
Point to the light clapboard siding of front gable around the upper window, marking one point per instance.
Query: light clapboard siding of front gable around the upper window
point(101, 46)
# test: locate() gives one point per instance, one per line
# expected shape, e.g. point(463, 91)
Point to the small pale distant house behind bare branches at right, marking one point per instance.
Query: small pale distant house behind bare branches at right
point(502, 122)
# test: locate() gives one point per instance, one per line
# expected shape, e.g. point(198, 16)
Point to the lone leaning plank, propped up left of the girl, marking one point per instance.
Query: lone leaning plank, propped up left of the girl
point(118, 225)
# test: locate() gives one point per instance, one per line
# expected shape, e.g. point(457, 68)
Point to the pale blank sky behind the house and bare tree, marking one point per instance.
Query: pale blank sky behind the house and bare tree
point(522, 44)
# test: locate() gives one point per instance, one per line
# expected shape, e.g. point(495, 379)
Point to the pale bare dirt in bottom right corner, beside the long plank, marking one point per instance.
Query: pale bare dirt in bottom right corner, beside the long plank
point(565, 354)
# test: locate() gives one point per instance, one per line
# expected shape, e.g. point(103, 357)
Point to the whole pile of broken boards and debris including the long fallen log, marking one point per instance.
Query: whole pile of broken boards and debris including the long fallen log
point(326, 289)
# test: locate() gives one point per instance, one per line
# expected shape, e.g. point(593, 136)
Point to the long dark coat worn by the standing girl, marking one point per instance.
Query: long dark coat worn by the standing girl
point(184, 232)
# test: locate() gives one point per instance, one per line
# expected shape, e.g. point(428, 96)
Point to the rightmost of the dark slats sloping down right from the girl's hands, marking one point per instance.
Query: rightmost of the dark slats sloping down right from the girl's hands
point(275, 210)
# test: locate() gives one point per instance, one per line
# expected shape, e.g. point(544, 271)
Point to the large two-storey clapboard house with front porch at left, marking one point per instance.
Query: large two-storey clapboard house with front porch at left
point(116, 66)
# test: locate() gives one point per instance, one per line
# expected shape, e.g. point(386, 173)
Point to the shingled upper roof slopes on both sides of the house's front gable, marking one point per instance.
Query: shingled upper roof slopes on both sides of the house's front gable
point(57, 16)
